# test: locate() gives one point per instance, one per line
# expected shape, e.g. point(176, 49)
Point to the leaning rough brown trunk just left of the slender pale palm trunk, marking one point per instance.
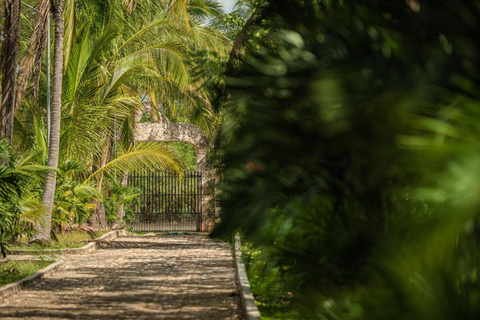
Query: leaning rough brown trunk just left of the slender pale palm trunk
point(32, 60)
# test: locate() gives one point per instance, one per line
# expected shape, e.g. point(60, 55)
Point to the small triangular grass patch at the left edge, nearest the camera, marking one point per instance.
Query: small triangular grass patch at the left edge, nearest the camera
point(15, 270)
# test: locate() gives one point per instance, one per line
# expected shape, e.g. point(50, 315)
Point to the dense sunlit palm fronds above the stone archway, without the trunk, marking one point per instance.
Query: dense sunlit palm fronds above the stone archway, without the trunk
point(118, 57)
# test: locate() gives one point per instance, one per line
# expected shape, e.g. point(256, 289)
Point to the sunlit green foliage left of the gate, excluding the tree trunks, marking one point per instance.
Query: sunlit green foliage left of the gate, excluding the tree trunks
point(114, 53)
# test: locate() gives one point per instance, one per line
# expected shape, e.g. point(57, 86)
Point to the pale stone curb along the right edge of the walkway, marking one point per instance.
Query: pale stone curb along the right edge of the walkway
point(250, 309)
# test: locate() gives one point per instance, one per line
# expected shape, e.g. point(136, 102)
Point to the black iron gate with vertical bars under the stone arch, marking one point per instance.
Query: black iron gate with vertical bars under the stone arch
point(168, 202)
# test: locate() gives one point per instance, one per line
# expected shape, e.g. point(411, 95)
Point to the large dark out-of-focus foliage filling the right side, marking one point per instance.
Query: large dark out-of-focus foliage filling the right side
point(349, 155)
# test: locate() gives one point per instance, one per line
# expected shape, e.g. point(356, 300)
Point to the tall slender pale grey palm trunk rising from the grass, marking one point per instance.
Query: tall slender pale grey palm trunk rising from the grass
point(54, 143)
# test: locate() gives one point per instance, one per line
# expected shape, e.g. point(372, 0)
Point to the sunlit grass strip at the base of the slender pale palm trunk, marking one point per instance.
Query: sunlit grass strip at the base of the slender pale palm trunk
point(69, 240)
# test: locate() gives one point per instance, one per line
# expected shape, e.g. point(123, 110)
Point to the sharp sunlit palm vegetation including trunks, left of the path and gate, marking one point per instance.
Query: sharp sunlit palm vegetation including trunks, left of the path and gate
point(107, 58)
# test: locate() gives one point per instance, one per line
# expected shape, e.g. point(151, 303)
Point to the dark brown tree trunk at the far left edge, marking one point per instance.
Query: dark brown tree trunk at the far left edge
point(10, 55)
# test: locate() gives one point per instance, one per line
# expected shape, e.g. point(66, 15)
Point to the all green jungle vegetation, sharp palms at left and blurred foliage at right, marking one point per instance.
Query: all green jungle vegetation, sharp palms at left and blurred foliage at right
point(346, 138)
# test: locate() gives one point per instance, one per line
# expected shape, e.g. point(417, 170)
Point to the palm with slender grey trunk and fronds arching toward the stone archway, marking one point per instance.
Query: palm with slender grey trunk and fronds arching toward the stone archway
point(112, 57)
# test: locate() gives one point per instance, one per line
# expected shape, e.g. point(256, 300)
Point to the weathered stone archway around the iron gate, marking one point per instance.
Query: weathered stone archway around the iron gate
point(166, 131)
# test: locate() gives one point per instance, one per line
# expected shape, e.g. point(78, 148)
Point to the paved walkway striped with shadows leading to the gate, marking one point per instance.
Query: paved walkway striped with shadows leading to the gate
point(161, 277)
